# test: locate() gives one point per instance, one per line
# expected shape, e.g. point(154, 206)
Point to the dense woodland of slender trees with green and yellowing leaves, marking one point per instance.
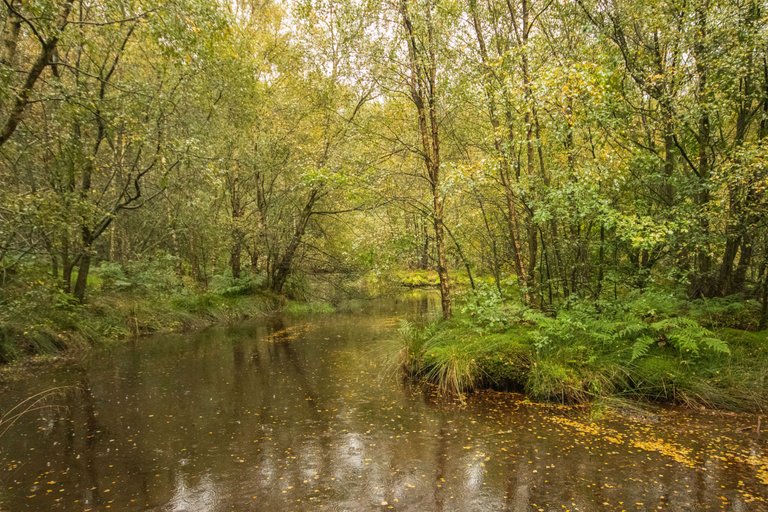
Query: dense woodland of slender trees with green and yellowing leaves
point(547, 152)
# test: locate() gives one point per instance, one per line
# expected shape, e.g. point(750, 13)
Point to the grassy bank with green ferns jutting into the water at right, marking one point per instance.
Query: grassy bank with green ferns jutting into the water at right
point(650, 346)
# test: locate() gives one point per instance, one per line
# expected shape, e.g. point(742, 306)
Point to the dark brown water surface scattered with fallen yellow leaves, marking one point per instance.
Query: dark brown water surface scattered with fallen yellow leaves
point(309, 414)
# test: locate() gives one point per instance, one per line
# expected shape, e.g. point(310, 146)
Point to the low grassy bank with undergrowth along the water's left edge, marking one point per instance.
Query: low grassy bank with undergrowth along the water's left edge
point(123, 303)
